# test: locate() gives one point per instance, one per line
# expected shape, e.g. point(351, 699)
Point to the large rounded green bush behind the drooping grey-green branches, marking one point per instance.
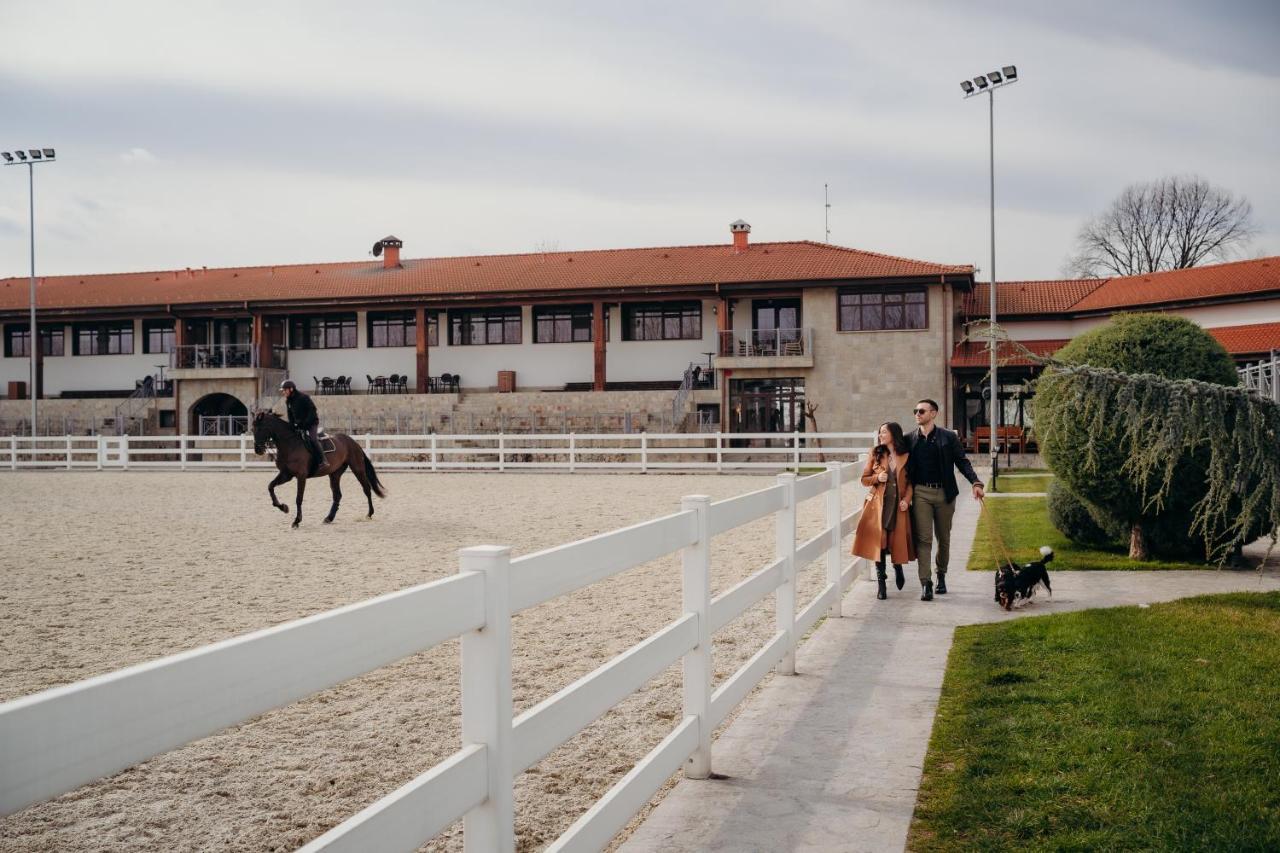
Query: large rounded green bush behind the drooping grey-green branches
point(1155, 344)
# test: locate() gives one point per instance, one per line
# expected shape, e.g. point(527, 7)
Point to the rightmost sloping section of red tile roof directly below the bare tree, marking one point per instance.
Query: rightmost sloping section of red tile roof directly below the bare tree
point(1183, 285)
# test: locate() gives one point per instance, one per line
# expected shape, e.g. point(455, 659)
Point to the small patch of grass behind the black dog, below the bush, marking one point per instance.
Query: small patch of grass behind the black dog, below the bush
point(1025, 527)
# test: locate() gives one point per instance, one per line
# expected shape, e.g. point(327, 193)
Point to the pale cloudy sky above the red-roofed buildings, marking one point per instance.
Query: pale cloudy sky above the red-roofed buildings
point(240, 134)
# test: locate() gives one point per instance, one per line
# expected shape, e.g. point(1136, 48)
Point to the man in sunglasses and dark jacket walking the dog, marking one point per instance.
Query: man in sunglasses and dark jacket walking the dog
point(935, 451)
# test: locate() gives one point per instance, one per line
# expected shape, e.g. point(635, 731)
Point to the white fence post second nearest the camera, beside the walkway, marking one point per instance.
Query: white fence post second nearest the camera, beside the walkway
point(698, 665)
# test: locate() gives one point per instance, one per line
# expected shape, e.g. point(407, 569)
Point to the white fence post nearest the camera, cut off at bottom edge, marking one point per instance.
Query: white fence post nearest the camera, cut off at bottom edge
point(490, 828)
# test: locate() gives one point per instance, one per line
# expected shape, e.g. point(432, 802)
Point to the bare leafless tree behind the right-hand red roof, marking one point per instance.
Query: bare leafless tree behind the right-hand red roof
point(1172, 223)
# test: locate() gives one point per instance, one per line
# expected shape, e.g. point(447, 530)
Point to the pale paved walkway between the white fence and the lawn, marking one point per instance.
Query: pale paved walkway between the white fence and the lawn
point(830, 760)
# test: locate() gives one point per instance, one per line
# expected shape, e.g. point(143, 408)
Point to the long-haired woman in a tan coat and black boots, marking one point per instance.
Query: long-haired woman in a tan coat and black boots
point(885, 528)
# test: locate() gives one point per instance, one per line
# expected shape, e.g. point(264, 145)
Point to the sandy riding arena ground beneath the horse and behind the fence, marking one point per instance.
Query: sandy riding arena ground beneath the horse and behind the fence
point(111, 569)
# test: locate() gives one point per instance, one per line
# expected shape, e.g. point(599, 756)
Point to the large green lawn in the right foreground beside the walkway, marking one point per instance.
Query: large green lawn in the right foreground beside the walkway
point(1121, 729)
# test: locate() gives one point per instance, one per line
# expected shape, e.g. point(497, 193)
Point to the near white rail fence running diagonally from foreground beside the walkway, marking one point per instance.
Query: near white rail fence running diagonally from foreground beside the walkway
point(57, 741)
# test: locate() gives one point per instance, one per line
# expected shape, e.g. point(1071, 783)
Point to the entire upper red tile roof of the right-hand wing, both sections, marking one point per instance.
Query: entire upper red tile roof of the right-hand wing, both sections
point(1078, 297)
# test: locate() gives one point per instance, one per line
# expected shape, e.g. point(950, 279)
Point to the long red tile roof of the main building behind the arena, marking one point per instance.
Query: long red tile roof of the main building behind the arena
point(444, 277)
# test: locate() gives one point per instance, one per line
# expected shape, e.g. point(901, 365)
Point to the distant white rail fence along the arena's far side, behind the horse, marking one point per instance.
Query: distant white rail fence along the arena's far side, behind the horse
point(437, 453)
